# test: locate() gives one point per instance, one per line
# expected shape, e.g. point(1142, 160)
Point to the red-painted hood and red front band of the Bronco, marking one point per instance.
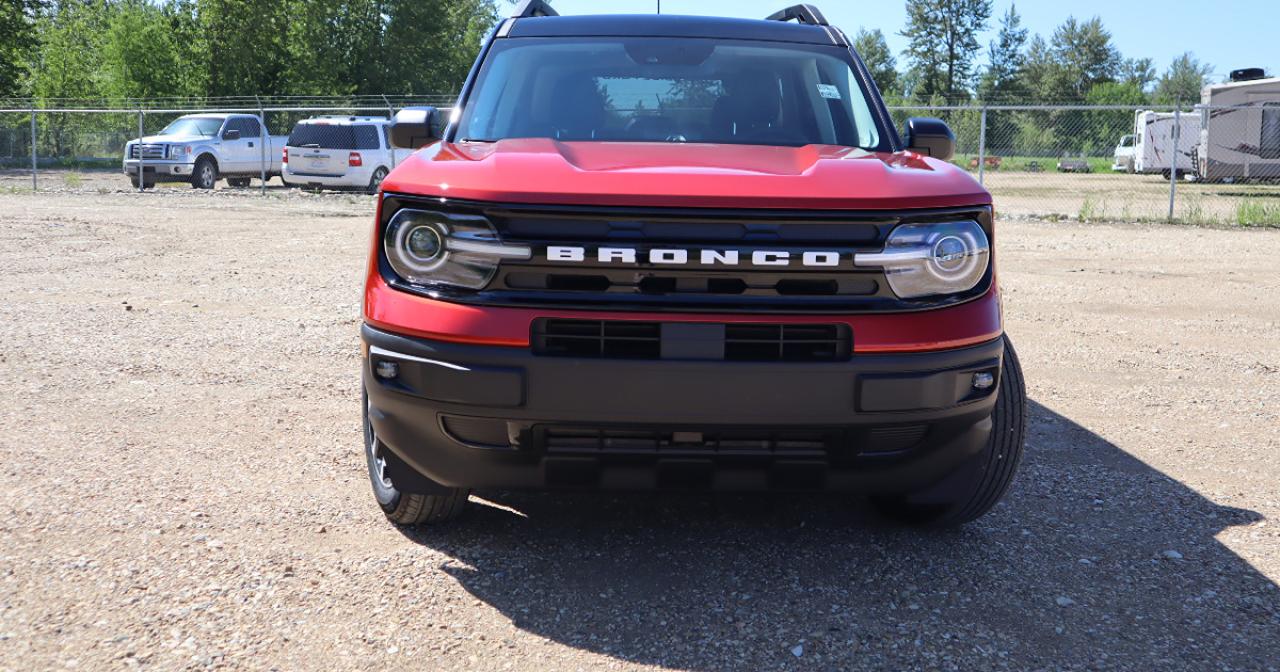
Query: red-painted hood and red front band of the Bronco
point(538, 171)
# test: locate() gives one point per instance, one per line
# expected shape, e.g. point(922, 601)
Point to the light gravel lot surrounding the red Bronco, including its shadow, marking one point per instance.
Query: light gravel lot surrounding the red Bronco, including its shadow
point(182, 481)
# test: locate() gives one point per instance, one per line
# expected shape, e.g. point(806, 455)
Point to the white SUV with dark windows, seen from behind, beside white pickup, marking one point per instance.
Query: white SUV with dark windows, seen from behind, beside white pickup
point(340, 153)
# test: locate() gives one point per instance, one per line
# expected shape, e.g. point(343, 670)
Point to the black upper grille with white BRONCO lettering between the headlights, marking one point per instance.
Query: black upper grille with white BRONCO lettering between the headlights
point(700, 260)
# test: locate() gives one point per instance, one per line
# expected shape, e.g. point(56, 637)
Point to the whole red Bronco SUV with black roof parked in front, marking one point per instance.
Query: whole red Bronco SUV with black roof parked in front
point(684, 253)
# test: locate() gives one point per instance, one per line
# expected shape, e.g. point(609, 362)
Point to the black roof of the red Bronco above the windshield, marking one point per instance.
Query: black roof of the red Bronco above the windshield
point(673, 26)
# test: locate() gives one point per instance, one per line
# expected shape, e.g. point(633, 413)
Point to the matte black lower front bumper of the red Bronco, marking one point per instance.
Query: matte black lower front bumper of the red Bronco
point(478, 417)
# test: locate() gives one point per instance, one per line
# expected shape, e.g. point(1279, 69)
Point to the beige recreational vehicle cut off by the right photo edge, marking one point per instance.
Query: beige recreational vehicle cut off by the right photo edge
point(1241, 129)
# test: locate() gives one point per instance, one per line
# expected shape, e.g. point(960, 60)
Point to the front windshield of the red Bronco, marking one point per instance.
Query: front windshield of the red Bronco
point(669, 90)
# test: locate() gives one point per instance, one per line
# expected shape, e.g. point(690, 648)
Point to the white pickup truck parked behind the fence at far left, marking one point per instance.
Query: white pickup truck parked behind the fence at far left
point(202, 149)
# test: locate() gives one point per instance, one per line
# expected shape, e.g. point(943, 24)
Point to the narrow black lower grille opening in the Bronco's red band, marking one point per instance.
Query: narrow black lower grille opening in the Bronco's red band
point(624, 340)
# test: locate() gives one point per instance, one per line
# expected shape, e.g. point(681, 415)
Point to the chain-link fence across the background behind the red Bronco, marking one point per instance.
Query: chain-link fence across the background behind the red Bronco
point(1201, 164)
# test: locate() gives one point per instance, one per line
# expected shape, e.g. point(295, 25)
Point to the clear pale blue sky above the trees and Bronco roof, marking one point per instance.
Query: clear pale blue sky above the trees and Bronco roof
point(1226, 34)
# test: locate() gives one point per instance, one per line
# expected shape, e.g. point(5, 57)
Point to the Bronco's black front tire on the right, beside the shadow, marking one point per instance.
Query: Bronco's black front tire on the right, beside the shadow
point(988, 477)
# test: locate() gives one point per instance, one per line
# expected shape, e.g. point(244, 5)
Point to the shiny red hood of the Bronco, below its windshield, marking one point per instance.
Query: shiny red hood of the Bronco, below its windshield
point(538, 171)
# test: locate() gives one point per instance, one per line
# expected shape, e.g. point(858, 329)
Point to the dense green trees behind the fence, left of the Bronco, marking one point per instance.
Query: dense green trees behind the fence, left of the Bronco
point(131, 49)
